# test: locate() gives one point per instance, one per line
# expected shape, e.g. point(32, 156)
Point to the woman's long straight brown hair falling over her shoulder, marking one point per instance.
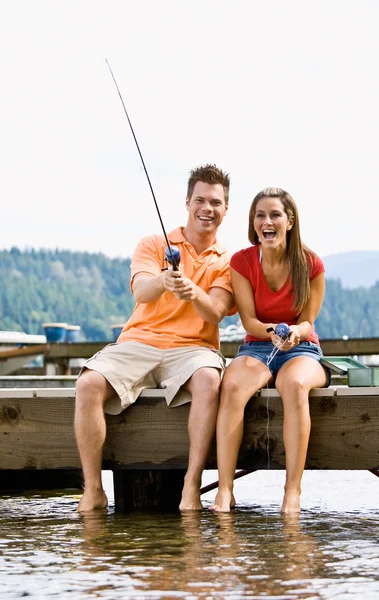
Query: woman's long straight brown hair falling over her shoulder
point(299, 256)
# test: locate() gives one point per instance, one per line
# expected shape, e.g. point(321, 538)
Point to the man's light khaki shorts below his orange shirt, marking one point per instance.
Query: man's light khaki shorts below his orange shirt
point(131, 367)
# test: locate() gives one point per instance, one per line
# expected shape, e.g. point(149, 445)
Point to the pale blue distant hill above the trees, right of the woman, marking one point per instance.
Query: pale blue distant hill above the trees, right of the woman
point(355, 269)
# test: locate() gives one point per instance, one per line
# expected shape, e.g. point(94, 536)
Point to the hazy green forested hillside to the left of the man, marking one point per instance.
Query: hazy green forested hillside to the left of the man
point(78, 288)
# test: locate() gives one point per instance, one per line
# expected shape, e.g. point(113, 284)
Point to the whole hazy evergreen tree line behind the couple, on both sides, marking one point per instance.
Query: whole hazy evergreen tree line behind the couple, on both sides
point(93, 291)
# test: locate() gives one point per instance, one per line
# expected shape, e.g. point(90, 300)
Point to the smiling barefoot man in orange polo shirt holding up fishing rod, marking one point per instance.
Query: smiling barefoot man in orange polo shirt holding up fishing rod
point(171, 338)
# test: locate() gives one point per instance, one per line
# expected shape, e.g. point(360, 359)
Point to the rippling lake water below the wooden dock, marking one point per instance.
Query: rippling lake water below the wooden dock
point(47, 550)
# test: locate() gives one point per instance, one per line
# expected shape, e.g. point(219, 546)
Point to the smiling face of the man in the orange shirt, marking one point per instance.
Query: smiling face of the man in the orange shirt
point(206, 208)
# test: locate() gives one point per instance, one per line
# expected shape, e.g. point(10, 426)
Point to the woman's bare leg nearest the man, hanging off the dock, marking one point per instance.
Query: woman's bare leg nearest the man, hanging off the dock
point(243, 377)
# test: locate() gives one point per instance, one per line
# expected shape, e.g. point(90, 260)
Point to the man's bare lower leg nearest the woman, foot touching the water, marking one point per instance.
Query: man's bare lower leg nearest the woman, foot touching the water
point(204, 386)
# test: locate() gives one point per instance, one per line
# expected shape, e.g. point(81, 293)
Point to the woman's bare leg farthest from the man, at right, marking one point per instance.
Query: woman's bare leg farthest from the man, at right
point(294, 381)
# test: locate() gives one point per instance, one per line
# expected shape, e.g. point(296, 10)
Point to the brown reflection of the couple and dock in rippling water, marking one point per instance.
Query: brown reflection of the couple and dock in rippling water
point(228, 554)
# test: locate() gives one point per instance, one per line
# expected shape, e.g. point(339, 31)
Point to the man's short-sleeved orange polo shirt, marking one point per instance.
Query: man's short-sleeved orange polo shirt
point(169, 322)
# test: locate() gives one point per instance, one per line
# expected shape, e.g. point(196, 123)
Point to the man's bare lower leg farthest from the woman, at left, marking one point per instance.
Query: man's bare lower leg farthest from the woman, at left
point(92, 391)
